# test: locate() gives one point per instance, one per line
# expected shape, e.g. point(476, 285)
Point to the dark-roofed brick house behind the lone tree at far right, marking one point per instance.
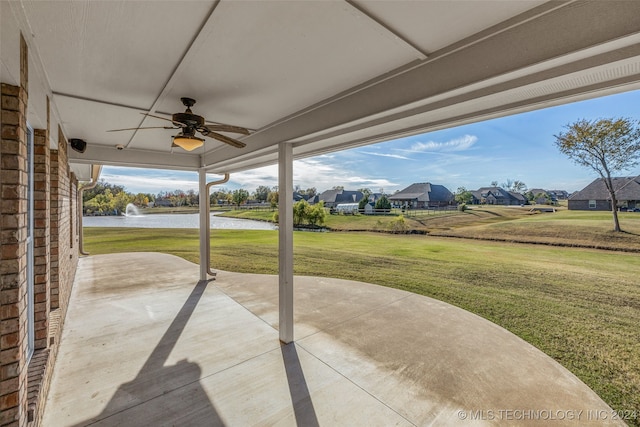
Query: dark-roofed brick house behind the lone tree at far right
point(596, 197)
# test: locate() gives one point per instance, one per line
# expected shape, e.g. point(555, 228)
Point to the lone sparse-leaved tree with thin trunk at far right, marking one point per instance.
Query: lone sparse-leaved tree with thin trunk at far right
point(607, 146)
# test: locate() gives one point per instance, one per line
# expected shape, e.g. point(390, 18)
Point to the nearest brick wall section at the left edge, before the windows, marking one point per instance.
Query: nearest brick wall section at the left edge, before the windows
point(13, 257)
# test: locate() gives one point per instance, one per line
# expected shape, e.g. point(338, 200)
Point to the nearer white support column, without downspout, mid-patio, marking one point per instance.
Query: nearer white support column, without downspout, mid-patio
point(285, 240)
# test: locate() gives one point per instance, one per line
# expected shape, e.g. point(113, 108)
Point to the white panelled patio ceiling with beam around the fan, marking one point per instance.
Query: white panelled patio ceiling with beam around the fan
point(322, 75)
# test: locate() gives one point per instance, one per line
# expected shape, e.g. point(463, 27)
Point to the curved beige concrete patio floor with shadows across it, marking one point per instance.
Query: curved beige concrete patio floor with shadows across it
point(146, 344)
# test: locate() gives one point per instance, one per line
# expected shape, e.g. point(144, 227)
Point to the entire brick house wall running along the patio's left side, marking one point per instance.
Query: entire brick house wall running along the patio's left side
point(23, 385)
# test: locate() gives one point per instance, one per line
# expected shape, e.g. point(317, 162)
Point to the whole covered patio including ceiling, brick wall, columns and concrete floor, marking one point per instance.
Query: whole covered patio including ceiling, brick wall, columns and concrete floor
point(93, 83)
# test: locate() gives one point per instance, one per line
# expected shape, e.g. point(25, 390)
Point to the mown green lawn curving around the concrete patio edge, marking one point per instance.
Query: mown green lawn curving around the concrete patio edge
point(580, 306)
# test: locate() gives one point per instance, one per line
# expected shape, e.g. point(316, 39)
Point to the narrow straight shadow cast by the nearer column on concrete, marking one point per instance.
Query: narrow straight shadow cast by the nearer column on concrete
point(300, 398)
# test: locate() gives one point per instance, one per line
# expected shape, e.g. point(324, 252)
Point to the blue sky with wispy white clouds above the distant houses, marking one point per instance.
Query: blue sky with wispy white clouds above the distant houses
point(518, 147)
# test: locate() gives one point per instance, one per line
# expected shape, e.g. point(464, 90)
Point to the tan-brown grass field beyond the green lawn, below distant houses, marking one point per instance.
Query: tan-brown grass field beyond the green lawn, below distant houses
point(497, 223)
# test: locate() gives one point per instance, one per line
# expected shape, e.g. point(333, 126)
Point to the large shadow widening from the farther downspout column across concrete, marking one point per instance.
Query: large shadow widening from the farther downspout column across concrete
point(142, 401)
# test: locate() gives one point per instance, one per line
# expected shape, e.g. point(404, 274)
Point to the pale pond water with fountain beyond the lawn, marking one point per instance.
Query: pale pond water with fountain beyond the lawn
point(175, 221)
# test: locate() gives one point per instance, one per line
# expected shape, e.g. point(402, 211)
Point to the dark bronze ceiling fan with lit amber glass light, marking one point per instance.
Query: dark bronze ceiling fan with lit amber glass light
point(190, 123)
